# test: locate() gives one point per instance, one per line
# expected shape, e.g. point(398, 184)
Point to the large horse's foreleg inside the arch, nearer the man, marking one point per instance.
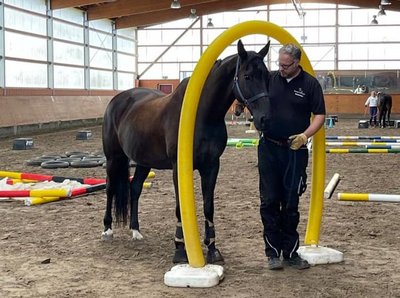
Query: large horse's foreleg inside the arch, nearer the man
point(208, 180)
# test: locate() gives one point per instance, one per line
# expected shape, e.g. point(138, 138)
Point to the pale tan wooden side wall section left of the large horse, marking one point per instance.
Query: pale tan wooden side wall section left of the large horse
point(22, 114)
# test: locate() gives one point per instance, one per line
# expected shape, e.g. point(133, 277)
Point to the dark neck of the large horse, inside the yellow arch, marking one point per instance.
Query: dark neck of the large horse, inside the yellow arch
point(217, 96)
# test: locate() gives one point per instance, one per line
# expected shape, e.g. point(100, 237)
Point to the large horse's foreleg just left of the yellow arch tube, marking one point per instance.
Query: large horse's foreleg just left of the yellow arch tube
point(180, 255)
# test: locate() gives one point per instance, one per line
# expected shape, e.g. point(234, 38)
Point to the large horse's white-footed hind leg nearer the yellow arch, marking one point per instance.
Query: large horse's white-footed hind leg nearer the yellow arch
point(136, 187)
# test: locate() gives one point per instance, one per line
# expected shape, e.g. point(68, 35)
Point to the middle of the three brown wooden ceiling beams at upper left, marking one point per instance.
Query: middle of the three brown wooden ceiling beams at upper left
point(125, 8)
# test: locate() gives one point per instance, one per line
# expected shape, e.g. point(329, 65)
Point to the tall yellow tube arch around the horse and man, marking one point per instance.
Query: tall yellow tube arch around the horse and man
point(186, 136)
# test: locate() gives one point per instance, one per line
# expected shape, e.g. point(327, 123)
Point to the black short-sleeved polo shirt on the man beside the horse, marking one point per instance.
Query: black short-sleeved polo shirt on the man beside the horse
point(292, 104)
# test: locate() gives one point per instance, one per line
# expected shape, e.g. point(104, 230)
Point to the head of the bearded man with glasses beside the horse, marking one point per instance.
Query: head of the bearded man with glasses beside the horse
point(288, 61)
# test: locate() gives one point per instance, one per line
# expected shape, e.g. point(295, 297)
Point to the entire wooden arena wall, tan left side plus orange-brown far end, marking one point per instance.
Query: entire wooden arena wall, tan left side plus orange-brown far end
point(26, 111)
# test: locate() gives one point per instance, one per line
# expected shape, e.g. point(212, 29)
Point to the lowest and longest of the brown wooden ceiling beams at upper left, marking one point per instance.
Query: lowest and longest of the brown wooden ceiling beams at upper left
point(162, 16)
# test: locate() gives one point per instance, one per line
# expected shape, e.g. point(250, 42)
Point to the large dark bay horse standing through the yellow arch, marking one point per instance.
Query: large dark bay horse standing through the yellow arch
point(142, 125)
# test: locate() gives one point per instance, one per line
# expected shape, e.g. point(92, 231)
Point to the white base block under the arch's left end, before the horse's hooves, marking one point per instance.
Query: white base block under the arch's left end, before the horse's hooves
point(184, 276)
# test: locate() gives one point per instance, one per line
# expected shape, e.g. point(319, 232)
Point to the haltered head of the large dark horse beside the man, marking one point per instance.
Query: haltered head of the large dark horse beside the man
point(251, 84)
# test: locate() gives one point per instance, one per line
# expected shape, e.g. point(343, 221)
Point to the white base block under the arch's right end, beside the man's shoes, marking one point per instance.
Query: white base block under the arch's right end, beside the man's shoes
point(320, 255)
